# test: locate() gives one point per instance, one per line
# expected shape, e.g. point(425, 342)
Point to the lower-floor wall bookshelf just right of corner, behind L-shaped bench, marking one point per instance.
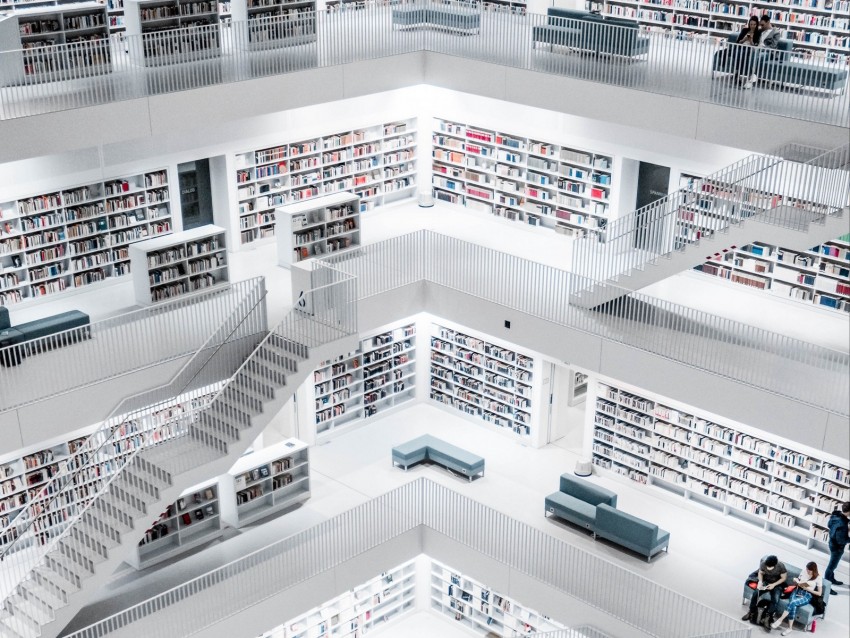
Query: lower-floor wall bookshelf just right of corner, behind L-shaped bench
point(481, 379)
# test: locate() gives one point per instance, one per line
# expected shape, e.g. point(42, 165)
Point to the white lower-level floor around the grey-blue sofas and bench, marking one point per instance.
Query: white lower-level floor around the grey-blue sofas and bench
point(709, 554)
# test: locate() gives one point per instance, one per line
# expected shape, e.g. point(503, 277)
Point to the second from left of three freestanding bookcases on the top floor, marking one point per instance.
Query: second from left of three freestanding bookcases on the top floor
point(148, 20)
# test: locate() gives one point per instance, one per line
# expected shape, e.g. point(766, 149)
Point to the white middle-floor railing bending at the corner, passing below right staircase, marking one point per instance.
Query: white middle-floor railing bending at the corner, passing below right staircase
point(810, 374)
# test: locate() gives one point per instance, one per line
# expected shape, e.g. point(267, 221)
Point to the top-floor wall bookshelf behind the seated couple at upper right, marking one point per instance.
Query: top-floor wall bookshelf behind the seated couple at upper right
point(819, 28)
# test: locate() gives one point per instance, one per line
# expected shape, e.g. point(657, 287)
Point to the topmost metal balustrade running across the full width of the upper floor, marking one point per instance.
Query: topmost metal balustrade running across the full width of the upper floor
point(123, 67)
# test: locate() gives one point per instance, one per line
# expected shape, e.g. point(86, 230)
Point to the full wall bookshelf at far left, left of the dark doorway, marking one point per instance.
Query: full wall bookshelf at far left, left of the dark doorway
point(74, 237)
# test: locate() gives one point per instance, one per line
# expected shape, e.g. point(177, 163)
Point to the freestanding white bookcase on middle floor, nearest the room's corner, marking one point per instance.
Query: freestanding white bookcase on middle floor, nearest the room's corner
point(317, 227)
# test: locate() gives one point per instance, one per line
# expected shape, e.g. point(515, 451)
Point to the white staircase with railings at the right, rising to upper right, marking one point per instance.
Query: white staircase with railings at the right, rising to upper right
point(795, 204)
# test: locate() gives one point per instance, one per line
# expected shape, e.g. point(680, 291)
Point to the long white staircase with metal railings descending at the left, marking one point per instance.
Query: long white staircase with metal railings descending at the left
point(105, 486)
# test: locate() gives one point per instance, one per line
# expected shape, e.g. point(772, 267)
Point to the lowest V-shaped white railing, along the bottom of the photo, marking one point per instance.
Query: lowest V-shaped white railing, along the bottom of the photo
point(194, 606)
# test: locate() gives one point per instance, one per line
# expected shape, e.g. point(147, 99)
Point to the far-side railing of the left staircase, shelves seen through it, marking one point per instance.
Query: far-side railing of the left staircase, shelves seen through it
point(96, 462)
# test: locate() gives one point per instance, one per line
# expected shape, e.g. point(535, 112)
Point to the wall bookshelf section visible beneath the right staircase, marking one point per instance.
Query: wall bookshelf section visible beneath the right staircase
point(820, 276)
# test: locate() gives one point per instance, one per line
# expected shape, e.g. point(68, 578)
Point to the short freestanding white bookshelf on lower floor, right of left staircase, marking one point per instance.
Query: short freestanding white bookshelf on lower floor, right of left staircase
point(265, 482)
